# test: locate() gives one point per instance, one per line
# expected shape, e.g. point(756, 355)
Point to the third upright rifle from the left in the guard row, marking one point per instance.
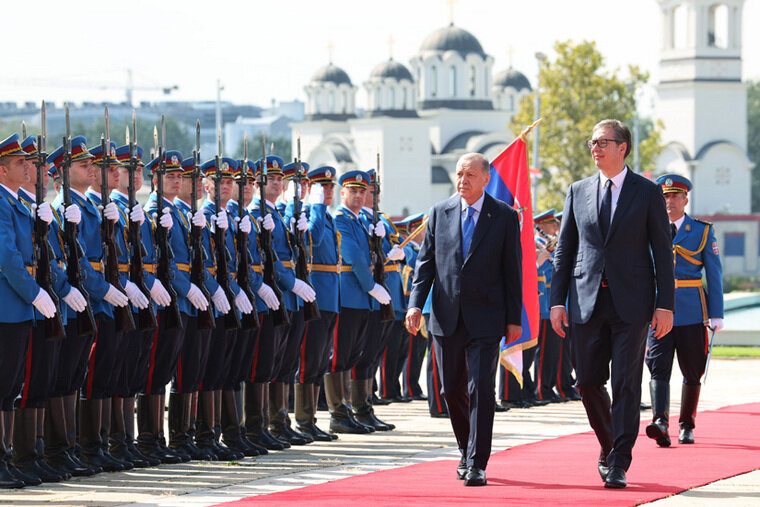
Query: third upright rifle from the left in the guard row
point(122, 314)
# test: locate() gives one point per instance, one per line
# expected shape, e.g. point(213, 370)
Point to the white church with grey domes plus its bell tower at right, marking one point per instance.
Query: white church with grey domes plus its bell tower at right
point(421, 118)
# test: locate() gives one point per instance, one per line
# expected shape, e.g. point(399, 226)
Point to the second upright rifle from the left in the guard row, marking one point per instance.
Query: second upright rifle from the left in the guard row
point(72, 248)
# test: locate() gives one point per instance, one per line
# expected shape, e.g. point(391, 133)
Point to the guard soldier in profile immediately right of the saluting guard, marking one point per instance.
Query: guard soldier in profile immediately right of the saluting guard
point(357, 290)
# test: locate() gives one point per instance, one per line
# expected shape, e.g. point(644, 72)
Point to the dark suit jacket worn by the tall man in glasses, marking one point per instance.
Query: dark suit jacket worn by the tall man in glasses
point(636, 254)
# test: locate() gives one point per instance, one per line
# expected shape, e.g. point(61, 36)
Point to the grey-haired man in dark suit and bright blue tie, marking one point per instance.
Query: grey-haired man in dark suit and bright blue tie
point(472, 251)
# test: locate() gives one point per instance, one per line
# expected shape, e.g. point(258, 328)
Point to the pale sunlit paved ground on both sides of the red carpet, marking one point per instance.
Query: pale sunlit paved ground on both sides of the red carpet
point(417, 438)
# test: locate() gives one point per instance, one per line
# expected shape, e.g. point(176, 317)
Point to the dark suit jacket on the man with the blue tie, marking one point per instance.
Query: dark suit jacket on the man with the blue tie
point(486, 287)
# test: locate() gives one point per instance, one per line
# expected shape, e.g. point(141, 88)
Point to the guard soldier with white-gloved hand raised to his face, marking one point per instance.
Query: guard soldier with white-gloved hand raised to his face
point(325, 277)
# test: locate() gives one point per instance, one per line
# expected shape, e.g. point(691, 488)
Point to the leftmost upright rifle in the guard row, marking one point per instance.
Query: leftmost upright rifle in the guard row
point(42, 251)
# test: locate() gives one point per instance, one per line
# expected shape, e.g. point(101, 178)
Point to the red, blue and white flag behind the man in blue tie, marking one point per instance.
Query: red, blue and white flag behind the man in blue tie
point(510, 182)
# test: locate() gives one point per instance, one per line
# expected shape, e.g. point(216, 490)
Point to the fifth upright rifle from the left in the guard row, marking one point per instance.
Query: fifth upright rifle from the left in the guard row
point(165, 254)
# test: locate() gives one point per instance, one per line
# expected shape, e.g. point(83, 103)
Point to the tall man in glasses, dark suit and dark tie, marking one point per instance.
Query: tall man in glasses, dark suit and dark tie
point(614, 261)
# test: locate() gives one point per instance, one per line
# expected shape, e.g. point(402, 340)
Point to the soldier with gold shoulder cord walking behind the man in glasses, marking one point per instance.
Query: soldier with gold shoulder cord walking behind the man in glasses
point(698, 310)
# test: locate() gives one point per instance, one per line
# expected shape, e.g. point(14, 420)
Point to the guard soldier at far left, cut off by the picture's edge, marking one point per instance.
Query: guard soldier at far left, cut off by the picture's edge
point(20, 293)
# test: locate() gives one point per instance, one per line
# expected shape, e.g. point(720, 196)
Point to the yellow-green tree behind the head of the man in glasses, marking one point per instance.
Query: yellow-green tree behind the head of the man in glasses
point(576, 93)
